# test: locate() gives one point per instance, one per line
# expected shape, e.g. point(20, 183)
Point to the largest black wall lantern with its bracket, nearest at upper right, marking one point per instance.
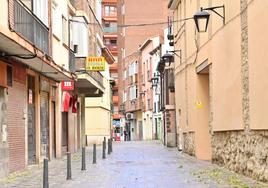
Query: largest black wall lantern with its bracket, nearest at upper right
point(201, 18)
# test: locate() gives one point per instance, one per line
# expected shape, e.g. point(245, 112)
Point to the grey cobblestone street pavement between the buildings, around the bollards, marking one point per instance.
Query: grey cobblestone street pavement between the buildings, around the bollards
point(133, 164)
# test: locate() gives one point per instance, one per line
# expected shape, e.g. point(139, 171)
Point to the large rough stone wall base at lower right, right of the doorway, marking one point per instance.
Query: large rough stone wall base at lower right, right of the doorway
point(242, 152)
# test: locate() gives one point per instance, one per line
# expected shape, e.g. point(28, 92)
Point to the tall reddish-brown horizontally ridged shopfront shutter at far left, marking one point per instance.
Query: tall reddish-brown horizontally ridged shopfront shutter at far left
point(16, 105)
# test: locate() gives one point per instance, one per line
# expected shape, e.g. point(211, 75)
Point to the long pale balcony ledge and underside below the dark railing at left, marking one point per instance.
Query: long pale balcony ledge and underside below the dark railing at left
point(40, 62)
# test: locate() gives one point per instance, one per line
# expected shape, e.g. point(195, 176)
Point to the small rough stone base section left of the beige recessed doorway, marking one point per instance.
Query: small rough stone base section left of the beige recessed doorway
point(189, 143)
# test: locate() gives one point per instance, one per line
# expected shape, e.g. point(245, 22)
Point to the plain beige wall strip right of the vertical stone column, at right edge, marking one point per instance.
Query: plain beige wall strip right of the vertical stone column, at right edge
point(258, 45)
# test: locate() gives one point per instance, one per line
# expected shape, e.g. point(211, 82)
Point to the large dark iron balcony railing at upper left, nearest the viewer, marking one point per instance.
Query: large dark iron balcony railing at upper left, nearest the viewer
point(29, 26)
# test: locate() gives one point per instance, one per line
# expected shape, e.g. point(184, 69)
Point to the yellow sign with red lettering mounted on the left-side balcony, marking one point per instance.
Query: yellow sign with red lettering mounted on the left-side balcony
point(95, 64)
